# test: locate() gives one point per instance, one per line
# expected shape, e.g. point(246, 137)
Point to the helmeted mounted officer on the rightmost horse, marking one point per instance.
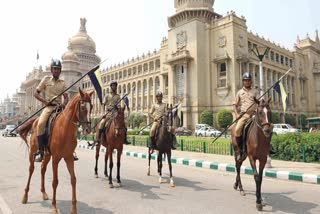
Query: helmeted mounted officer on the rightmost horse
point(244, 98)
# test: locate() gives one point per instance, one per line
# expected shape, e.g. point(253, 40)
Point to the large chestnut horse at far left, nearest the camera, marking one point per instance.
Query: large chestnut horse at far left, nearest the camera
point(62, 144)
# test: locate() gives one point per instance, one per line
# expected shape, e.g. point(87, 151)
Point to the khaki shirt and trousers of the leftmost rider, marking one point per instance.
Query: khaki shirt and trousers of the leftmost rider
point(51, 88)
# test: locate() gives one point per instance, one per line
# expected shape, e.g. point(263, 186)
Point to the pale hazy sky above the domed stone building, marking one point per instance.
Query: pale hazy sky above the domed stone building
point(123, 29)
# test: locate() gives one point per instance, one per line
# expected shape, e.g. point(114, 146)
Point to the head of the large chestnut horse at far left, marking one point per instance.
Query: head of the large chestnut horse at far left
point(84, 111)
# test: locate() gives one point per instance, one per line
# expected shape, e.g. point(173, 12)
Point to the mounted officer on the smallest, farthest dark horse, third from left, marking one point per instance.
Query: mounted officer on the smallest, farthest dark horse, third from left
point(157, 111)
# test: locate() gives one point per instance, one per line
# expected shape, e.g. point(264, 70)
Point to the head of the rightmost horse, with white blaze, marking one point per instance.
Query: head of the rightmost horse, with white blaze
point(263, 114)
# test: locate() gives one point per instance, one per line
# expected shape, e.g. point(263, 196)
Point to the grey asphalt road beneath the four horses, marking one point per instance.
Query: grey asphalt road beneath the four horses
point(197, 190)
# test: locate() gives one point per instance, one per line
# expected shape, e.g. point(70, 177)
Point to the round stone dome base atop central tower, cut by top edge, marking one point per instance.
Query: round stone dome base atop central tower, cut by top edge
point(182, 5)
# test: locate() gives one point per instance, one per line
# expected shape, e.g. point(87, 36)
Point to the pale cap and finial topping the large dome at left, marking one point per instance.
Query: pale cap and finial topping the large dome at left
point(82, 39)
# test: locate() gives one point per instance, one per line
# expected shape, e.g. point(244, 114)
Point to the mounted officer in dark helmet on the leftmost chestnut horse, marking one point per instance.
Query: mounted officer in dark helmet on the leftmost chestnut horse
point(52, 87)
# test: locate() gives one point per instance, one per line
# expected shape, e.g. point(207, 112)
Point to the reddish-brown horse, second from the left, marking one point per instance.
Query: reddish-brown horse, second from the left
point(115, 137)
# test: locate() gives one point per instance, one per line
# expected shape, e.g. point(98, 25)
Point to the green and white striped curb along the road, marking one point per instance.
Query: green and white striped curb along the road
point(282, 175)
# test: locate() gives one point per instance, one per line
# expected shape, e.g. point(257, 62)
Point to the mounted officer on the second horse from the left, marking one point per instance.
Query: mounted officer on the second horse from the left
point(110, 104)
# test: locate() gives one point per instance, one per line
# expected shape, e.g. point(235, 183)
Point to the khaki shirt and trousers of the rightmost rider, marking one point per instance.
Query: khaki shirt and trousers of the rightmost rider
point(245, 98)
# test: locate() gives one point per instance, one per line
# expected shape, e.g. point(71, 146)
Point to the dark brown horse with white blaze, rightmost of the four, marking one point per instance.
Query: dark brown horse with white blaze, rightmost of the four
point(257, 147)
